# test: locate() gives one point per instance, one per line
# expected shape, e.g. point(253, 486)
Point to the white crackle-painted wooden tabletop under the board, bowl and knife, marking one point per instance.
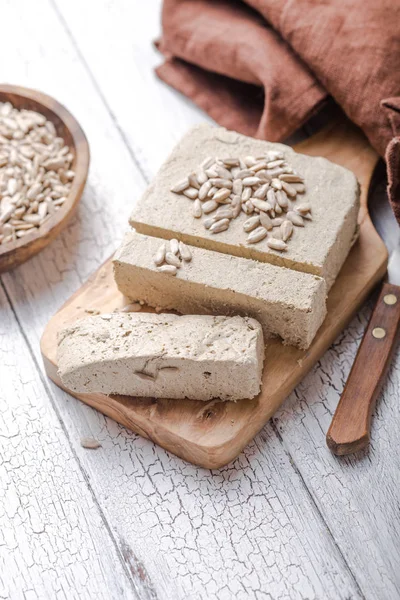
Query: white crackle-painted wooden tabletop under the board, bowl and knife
point(287, 519)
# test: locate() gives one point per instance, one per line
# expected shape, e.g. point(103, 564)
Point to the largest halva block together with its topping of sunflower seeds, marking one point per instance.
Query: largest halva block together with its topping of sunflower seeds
point(251, 177)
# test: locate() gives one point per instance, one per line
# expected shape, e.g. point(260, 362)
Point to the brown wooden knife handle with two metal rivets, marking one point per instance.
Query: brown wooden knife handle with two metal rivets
point(349, 430)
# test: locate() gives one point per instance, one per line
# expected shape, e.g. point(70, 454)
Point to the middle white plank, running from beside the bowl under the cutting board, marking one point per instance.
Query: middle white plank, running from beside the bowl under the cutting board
point(248, 530)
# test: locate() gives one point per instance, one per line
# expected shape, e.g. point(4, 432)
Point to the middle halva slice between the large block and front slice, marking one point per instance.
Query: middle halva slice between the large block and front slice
point(287, 303)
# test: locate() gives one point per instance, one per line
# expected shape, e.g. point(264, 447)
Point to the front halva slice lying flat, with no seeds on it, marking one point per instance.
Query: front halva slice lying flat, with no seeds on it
point(199, 357)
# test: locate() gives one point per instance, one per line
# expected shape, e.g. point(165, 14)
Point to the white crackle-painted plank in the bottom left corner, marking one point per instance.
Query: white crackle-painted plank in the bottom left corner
point(53, 540)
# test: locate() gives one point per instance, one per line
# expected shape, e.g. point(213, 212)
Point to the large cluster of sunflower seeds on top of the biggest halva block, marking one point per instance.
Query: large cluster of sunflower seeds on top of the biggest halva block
point(263, 187)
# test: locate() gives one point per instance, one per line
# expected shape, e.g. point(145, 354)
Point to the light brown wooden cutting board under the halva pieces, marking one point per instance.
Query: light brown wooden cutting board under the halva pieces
point(211, 434)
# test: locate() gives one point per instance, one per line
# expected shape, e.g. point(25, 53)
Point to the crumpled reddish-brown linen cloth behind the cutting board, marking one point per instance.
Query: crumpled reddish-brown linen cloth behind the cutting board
point(265, 66)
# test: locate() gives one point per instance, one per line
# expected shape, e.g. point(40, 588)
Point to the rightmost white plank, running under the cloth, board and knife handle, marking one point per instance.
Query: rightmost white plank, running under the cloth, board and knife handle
point(347, 503)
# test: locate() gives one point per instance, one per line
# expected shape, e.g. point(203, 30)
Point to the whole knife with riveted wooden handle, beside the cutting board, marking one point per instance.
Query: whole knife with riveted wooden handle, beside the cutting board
point(350, 427)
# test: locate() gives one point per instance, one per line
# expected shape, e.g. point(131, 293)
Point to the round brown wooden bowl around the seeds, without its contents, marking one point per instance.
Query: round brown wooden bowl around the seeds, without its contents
point(15, 253)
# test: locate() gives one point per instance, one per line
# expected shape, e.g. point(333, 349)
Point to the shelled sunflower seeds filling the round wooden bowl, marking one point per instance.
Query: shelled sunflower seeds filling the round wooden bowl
point(35, 171)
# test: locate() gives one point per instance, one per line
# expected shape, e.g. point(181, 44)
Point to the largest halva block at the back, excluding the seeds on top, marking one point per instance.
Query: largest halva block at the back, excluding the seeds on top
point(320, 247)
